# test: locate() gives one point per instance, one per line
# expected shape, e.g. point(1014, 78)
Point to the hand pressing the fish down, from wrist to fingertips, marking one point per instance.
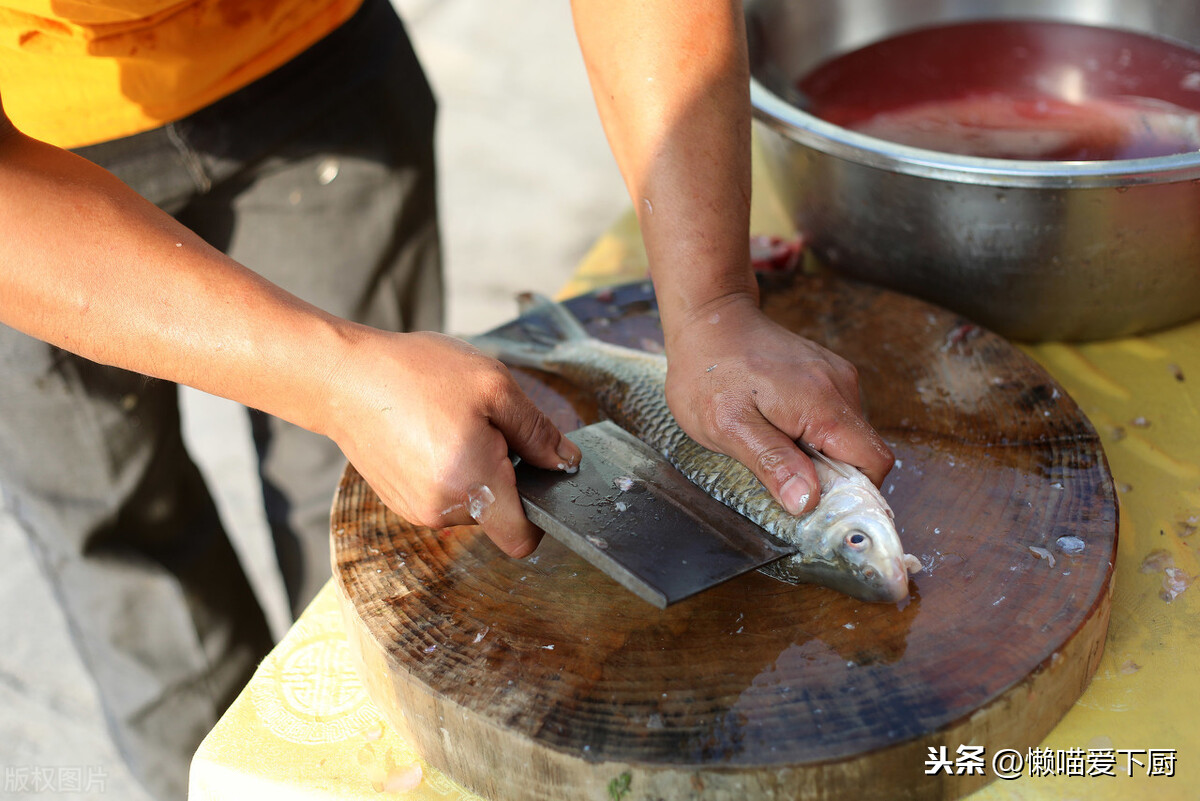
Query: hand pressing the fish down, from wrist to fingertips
point(742, 386)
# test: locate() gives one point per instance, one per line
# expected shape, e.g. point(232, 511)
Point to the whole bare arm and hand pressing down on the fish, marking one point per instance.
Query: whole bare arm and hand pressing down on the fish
point(673, 86)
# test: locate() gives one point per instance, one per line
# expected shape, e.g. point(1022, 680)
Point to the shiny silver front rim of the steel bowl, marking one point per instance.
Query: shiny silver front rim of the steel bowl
point(860, 148)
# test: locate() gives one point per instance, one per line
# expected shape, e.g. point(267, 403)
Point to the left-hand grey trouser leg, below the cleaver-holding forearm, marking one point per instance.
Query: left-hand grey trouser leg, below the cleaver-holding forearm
point(94, 469)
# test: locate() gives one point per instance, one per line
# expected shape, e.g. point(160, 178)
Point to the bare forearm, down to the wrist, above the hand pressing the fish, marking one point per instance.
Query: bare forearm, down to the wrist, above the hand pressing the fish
point(671, 83)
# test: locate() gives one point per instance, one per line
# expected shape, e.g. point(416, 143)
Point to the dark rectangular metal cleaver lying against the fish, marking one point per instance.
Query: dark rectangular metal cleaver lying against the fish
point(634, 516)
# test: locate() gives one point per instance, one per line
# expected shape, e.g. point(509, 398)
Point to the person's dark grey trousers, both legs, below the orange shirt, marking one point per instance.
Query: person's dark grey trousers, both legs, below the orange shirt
point(319, 177)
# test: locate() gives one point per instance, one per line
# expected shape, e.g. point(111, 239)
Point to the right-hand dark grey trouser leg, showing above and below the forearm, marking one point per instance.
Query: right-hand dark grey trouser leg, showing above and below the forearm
point(343, 214)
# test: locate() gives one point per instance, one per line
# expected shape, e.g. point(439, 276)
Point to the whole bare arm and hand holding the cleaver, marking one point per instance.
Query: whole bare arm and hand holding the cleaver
point(427, 419)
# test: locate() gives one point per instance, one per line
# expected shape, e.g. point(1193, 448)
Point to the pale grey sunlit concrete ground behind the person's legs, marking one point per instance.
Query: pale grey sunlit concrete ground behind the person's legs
point(527, 184)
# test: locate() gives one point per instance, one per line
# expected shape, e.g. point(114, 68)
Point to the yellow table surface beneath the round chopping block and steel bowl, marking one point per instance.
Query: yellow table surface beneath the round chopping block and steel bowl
point(304, 727)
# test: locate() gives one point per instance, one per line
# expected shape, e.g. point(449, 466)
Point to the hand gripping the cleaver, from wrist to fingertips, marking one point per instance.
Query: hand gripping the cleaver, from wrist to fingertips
point(429, 421)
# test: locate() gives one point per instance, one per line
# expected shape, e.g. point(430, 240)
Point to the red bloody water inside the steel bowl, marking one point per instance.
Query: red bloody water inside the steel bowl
point(1018, 89)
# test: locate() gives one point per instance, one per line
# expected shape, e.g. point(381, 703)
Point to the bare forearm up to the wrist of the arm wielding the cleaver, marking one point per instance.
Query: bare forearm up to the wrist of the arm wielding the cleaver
point(93, 268)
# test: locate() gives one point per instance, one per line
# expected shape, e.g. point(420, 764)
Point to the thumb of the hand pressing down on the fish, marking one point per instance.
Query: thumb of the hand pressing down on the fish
point(778, 463)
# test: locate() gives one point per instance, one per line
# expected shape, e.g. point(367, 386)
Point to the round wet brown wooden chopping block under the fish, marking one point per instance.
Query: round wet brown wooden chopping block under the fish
point(544, 679)
